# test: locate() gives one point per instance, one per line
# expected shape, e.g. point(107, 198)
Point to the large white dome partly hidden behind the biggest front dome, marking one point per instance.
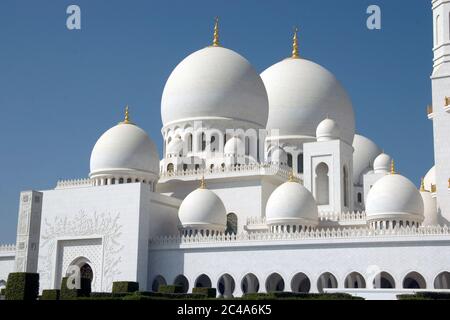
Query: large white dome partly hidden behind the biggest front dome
point(302, 94)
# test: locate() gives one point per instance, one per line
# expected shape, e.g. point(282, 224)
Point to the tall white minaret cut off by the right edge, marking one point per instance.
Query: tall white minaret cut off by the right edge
point(440, 112)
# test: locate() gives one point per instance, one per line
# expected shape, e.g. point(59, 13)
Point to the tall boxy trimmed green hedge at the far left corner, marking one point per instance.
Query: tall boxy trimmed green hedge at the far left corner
point(22, 286)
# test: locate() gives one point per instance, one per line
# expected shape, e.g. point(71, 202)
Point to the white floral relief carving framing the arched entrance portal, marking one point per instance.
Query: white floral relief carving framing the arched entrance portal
point(82, 225)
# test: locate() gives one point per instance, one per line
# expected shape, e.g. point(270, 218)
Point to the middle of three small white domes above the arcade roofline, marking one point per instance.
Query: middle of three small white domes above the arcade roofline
point(292, 204)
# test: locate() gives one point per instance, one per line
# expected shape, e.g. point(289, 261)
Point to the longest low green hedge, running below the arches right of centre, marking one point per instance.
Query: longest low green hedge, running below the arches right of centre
point(299, 296)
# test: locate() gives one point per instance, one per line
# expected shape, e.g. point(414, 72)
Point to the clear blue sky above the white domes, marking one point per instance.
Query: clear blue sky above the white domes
point(60, 89)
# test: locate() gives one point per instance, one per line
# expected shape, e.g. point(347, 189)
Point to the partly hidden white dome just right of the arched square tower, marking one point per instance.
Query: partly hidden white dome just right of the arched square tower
point(365, 152)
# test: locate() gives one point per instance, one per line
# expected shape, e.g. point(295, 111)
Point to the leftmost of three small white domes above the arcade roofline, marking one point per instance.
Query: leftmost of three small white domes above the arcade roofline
point(202, 209)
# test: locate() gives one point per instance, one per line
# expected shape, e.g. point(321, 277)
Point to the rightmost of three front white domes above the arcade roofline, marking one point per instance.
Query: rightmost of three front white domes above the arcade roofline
point(394, 197)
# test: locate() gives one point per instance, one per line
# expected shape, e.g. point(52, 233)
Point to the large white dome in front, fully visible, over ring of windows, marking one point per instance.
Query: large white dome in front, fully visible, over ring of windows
point(214, 83)
